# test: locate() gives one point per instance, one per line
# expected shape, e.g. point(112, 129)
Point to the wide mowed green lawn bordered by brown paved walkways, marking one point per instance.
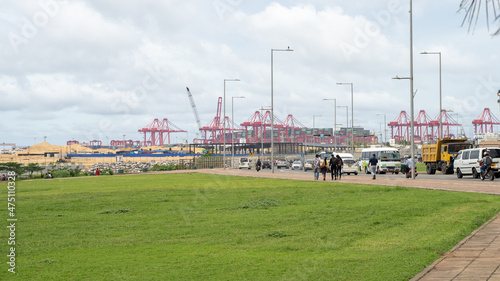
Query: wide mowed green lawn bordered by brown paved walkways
point(206, 227)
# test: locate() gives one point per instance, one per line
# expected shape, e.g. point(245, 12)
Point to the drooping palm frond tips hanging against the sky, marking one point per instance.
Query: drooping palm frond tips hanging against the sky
point(473, 9)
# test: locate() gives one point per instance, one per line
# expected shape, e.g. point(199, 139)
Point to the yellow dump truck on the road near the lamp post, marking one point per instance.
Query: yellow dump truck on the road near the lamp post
point(440, 156)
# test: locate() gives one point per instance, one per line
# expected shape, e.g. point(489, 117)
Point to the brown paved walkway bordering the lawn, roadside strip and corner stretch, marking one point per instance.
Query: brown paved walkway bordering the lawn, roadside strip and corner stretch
point(476, 258)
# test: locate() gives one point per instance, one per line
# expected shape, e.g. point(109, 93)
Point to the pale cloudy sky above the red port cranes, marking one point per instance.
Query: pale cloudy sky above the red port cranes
point(98, 70)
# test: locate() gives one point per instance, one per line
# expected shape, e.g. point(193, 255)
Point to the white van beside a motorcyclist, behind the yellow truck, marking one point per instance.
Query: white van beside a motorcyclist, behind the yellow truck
point(467, 161)
